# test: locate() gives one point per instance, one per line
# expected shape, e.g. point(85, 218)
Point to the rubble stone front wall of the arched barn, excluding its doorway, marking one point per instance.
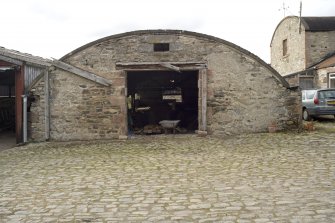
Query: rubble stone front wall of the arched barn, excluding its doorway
point(243, 95)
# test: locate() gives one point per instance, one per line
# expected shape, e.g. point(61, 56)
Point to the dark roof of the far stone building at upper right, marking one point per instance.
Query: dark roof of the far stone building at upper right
point(317, 24)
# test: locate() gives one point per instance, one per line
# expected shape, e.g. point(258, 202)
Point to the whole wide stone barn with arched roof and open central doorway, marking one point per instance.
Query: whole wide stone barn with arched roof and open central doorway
point(127, 83)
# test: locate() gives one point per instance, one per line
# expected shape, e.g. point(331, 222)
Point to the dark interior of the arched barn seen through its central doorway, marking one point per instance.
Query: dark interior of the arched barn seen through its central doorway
point(154, 96)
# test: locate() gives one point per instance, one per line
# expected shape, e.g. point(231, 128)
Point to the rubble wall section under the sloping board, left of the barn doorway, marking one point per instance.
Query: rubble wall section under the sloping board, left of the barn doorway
point(82, 110)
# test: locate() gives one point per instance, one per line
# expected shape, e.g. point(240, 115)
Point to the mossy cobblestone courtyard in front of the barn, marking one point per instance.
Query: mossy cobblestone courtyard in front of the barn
point(282, 177)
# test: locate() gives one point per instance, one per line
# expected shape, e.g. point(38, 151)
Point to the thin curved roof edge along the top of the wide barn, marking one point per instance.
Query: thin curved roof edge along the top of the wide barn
point(181, 32)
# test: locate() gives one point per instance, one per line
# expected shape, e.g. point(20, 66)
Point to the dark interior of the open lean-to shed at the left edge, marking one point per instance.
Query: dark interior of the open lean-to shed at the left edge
point(7, 102)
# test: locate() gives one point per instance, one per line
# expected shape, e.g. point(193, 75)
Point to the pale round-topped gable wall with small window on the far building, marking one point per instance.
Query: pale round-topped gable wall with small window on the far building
point(294, 60)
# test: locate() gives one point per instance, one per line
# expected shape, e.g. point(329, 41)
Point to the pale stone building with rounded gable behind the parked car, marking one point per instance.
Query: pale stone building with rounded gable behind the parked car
point(303, 49)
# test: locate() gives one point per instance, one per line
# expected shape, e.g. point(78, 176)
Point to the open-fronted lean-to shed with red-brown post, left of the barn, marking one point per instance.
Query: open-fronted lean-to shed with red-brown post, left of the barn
point(17, 73)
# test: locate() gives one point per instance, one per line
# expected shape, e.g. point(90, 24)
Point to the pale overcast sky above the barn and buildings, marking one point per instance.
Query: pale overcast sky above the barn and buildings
point(53, 28)
